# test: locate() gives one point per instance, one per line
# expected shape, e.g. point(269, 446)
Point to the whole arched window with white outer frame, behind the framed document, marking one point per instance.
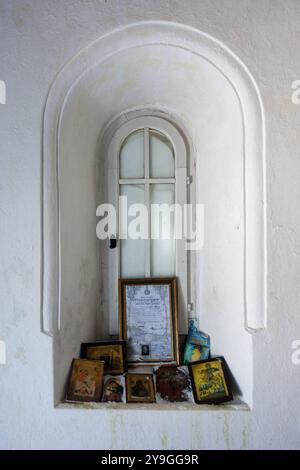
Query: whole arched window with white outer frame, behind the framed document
point(147, 162)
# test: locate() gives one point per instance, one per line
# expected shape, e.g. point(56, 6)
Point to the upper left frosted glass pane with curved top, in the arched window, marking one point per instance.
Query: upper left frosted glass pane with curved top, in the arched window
point(132, 156)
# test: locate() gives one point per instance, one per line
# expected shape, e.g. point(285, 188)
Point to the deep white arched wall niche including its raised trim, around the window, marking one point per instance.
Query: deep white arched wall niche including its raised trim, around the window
point(197, 83)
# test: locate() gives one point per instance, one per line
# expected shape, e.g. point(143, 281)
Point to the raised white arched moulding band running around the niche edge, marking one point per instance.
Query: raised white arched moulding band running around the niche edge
point(245, 88)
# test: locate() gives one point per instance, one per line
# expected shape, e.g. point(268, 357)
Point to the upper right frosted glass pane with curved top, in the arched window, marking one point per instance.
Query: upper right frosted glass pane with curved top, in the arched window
point(162, 161)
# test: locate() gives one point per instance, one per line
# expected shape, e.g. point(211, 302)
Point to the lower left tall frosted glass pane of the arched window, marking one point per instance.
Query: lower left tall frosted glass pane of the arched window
point(132, 251)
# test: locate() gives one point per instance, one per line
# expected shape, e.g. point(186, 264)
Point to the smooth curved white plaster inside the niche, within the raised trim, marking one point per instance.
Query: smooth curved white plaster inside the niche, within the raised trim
point(154, 76)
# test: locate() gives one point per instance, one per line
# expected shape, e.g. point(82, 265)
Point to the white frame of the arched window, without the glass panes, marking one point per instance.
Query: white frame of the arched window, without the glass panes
point(181, 257)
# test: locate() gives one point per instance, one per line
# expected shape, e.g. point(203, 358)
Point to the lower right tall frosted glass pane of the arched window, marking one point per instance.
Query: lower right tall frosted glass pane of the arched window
point(162, 251)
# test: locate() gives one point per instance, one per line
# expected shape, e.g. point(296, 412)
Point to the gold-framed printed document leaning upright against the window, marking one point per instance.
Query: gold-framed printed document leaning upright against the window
point(148, 320)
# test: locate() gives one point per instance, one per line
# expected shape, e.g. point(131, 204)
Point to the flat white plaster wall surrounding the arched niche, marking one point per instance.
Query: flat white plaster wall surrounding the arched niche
point(37, 38)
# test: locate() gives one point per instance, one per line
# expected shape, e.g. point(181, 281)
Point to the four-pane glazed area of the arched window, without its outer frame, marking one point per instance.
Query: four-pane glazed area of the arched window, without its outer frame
point(147, 177)
